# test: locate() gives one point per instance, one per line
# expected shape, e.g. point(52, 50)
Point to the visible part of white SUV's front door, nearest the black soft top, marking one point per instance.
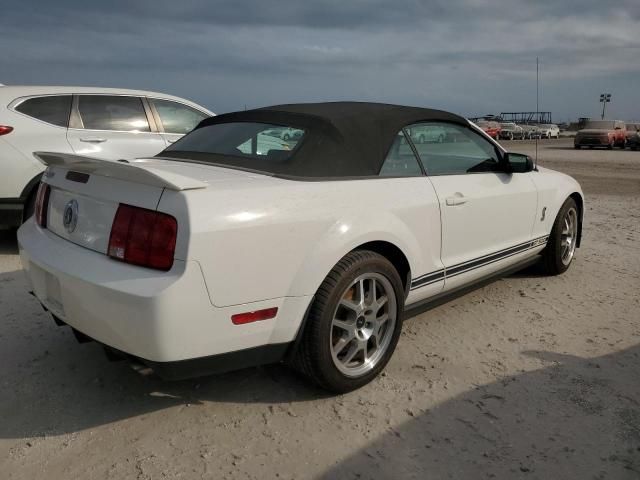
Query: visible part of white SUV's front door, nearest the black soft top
point(175, 119)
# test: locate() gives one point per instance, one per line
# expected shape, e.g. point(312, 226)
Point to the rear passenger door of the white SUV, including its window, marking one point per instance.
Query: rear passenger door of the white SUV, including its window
point(112, 127)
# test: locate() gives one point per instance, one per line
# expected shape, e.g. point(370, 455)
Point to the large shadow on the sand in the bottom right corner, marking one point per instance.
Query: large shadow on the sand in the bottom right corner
point(577, 418)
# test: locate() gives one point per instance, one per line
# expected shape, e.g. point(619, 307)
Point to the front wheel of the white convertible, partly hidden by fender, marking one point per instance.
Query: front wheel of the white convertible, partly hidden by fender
point(557, 255)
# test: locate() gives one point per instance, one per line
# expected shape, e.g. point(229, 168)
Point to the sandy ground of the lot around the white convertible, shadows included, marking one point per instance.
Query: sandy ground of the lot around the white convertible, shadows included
point(528, 377)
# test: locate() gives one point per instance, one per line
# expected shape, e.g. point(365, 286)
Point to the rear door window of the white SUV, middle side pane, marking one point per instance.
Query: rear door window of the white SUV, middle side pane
point(105, 112)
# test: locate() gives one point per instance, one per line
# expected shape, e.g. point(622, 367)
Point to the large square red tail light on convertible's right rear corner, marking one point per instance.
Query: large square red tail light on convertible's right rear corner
point(143, 237)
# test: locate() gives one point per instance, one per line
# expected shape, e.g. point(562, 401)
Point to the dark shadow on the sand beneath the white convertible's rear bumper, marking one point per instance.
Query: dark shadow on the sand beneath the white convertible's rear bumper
point(50, 372)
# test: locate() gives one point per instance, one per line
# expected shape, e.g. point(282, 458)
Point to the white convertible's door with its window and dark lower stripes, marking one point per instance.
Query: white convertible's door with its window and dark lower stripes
point(487, 215)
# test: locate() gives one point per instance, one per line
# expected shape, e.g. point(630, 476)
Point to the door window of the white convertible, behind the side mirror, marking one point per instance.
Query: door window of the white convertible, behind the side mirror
point(448, 149)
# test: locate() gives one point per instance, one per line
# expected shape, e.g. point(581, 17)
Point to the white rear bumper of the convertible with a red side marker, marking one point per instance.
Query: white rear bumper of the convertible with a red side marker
point(158, 317)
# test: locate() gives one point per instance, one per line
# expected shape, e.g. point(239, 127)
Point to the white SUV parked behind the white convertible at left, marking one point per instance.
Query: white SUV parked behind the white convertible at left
point(102, 122)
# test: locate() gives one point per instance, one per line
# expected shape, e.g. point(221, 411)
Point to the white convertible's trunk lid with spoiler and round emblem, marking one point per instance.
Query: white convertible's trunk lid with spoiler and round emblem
point(86, 192)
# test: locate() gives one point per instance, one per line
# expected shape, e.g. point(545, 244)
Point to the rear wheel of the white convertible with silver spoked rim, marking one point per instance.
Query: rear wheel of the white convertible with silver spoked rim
point(326, 350)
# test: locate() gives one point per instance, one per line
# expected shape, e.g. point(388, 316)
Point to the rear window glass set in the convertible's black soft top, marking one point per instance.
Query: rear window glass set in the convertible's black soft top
point(261, 142)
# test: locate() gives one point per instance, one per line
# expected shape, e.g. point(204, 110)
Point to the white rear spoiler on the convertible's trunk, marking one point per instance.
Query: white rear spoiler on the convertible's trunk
point(136, 172)
